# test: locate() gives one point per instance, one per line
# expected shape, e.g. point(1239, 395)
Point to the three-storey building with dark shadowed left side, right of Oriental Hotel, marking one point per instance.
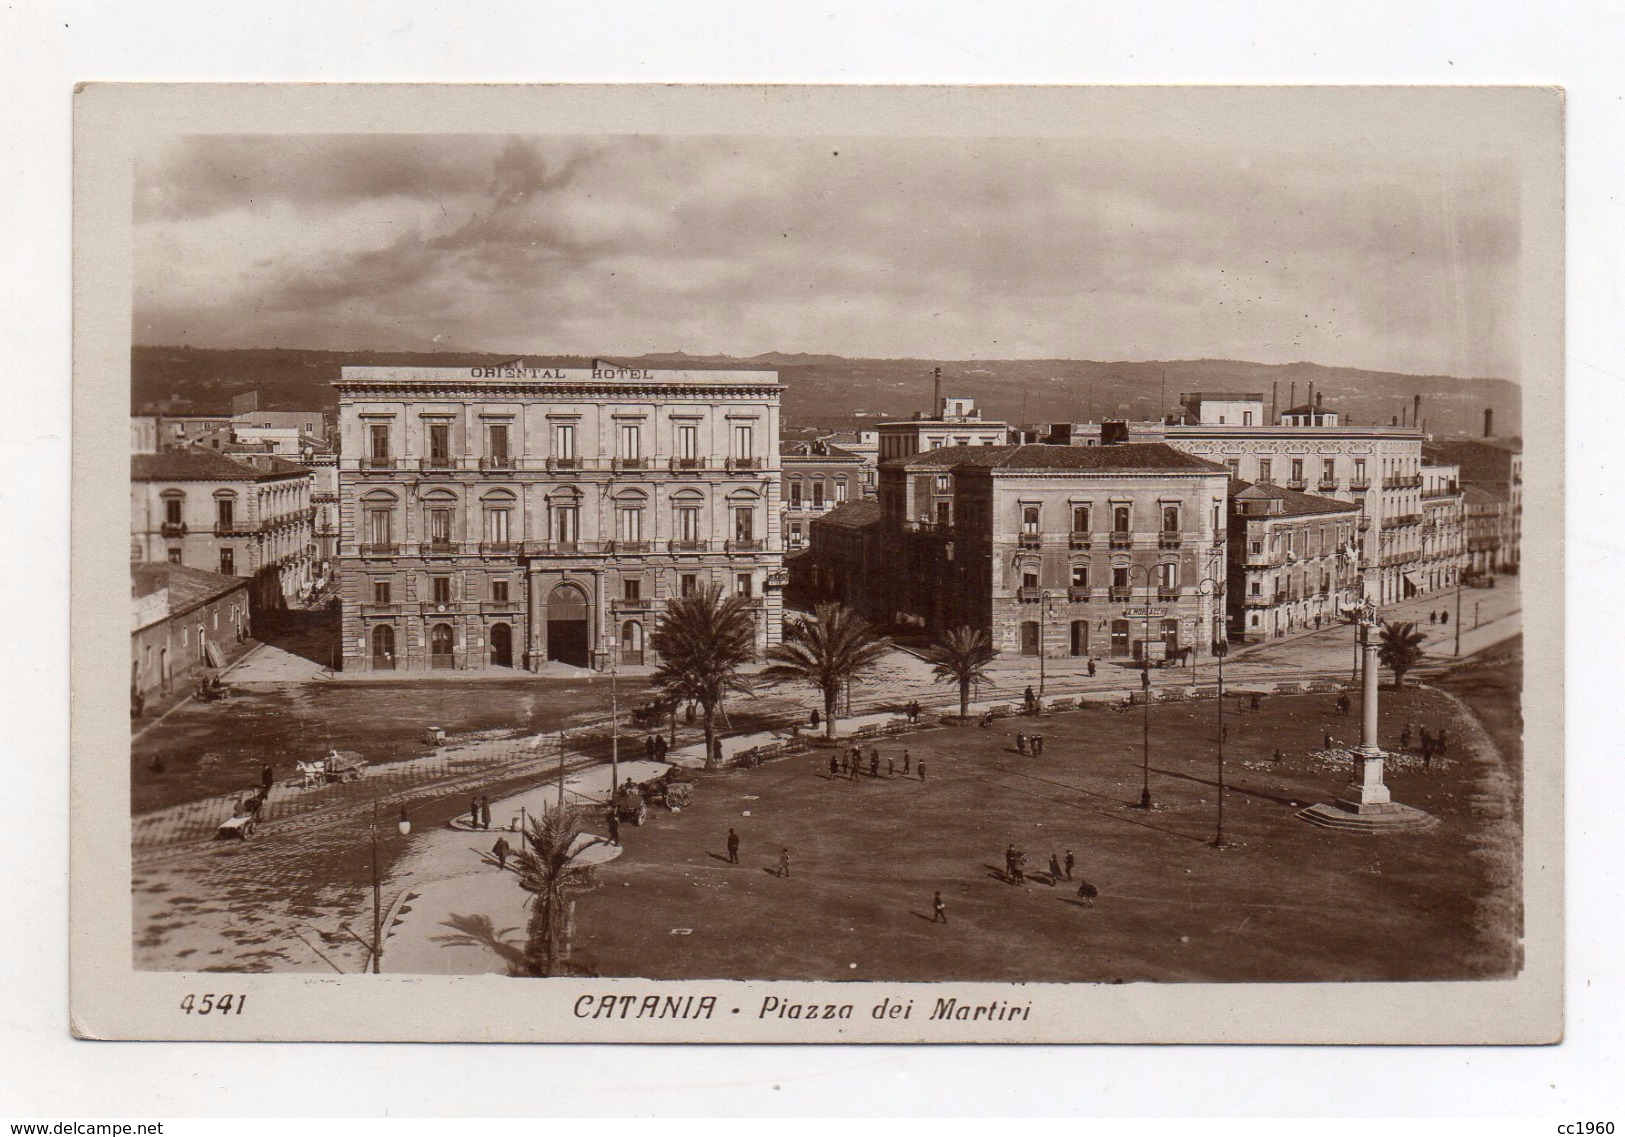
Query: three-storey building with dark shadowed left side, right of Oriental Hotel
point(1090, 551)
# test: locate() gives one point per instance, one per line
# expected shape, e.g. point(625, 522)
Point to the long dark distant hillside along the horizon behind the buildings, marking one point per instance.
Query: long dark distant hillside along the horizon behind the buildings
point(833, 391)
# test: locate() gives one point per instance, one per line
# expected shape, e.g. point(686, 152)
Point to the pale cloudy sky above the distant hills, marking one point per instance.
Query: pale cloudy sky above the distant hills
point(951, 249)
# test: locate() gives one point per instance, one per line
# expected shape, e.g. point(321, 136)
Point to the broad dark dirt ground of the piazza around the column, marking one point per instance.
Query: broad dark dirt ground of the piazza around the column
point(1285, 901)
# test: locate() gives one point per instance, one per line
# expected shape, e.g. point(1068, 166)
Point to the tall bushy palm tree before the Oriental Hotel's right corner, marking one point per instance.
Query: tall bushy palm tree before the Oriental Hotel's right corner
point(703, 641)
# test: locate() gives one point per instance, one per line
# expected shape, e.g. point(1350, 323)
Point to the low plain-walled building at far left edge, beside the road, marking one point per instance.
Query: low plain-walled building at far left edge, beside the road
point(183, 621)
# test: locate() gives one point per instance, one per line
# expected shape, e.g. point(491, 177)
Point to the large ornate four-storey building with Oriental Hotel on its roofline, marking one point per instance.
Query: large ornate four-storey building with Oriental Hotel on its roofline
point(522, 517)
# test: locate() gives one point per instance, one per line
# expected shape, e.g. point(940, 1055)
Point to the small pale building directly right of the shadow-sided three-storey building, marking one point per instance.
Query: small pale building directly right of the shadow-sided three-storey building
point(1294, 561)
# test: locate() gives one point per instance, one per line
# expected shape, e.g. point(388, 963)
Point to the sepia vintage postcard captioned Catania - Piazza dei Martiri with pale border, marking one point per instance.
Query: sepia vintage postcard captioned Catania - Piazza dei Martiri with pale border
point(818, 564)
